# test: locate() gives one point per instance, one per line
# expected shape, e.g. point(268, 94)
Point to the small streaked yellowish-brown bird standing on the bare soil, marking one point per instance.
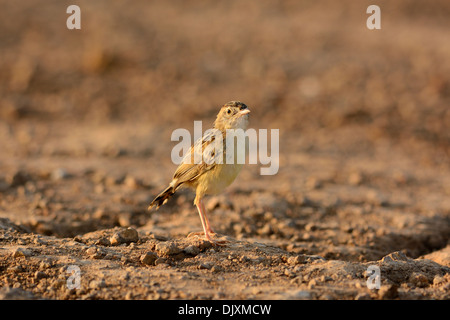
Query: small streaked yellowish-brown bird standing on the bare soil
point(213, 173)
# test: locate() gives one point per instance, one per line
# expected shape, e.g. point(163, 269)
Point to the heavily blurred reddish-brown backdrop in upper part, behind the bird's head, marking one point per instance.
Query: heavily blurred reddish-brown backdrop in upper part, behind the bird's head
point(302, 66)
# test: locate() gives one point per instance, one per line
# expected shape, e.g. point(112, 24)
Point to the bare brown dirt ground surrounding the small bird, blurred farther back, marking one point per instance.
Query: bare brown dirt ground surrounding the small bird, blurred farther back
point(86, 118)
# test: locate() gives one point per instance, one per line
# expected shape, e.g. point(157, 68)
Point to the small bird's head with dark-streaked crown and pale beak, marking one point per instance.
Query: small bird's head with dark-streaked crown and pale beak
point(233, 115)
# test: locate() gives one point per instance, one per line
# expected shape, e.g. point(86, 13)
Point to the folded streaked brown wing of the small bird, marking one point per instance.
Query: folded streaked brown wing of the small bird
point(206, 151)
